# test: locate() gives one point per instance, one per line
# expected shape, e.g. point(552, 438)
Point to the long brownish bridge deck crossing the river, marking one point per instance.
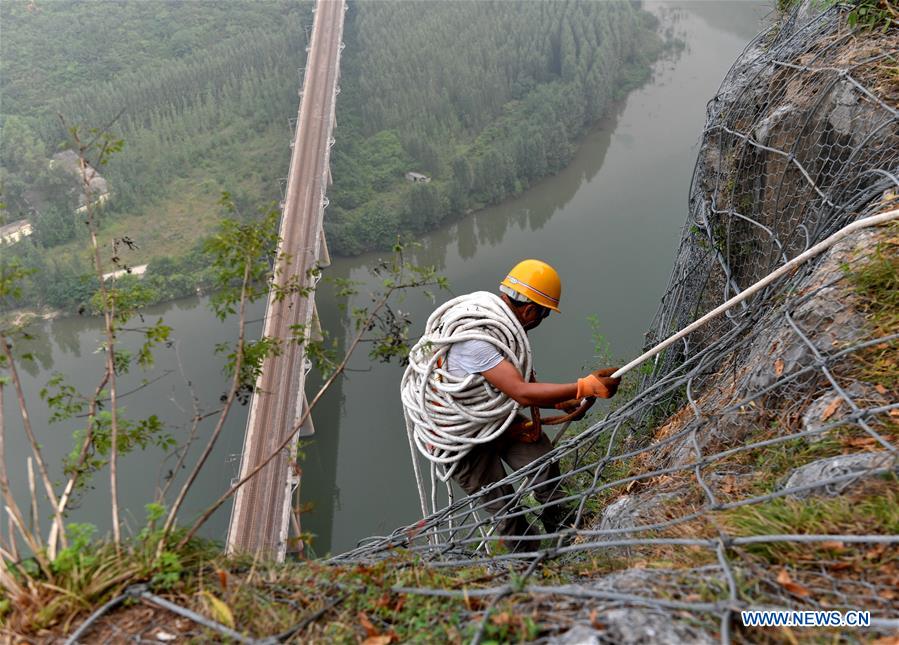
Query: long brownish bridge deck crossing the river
point(261, 513)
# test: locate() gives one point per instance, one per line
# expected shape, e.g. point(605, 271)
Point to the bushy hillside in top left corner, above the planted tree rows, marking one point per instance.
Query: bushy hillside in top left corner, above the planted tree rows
point(53, 48)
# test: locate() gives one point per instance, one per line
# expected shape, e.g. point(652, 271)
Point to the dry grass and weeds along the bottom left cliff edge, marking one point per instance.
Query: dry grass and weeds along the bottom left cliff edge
point(331, 604)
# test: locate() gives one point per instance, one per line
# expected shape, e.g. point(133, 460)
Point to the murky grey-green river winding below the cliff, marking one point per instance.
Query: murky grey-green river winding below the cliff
point(609, 223)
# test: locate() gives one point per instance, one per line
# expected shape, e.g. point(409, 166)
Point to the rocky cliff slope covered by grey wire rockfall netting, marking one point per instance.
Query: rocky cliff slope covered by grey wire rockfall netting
point(732, 465)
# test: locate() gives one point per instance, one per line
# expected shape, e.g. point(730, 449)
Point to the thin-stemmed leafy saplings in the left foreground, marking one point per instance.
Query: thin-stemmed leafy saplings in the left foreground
point(246, 264)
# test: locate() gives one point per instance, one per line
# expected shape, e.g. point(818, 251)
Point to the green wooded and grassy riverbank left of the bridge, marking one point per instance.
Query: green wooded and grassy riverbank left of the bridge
point(201, 92)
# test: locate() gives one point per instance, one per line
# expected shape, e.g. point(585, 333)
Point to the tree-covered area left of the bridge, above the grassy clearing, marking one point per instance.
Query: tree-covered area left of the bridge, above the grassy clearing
point(183, 78)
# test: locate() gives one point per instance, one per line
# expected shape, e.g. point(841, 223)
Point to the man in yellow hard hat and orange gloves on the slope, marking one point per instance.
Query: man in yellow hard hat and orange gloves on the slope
point(531, 290)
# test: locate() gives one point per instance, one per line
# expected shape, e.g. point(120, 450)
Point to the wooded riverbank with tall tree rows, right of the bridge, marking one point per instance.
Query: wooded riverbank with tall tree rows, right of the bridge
point(484, 97)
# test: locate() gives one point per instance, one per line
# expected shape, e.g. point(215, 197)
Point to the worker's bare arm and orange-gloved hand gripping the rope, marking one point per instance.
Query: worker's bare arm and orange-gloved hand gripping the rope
point(508, 380)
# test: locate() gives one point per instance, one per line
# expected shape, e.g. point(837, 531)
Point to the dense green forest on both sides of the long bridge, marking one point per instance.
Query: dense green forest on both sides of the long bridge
point(484, 98)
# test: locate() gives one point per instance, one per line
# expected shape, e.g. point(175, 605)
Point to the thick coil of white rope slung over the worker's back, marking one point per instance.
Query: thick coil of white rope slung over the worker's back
point(446, 415)
